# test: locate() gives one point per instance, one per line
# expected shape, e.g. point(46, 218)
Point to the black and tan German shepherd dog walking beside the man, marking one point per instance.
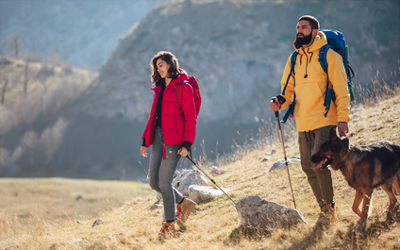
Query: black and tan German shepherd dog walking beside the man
point(364, 168)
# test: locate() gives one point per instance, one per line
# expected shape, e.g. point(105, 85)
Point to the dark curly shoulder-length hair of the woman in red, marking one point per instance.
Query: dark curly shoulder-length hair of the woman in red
point(169, 58)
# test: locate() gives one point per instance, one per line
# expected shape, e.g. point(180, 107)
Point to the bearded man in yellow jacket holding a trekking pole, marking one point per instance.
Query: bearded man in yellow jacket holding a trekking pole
point(308, 84)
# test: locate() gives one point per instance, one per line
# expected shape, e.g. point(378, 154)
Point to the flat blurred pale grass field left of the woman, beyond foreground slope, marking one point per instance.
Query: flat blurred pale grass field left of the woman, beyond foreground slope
point(33, 207)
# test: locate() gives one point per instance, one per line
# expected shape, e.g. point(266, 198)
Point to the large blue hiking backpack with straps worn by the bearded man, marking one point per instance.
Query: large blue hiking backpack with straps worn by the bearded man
point(336, 42)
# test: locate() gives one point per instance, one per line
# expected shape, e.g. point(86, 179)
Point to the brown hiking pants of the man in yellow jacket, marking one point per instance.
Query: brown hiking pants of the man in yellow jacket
point(320, 180)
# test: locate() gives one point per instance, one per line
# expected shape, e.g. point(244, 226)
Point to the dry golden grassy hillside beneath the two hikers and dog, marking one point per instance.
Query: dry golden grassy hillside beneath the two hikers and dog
point(213, 225)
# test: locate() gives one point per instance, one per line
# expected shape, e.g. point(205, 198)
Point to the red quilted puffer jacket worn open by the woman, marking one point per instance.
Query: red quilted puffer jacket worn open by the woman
point(176, 128)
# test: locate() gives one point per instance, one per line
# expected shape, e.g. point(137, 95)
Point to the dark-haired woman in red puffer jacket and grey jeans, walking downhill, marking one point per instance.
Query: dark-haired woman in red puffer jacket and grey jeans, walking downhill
point(172, 134)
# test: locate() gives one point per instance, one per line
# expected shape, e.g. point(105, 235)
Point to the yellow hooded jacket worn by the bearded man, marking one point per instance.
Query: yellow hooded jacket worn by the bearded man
point(309, 83)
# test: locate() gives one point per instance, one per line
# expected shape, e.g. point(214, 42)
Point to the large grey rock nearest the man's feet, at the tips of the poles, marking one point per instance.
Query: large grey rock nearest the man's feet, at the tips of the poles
point(257, 212)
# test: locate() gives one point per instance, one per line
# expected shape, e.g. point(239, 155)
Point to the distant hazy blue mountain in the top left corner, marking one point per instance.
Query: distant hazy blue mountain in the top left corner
point(81, 32)
